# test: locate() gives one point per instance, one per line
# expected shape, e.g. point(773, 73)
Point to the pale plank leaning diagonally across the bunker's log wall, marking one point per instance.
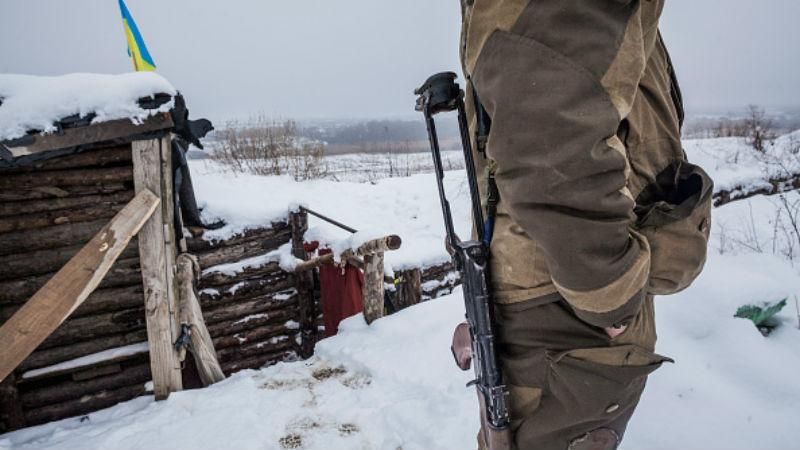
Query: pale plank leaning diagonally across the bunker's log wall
point(57, 299)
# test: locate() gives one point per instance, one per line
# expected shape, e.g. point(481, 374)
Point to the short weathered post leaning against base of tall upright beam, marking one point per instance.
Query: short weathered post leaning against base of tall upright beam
point(191, 315)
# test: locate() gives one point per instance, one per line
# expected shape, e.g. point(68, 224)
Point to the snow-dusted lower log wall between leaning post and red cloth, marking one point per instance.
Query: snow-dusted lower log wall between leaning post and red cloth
point(251, 310)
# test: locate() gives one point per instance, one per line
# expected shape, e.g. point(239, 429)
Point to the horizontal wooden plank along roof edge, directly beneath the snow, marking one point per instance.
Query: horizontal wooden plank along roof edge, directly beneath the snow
point(106, 131)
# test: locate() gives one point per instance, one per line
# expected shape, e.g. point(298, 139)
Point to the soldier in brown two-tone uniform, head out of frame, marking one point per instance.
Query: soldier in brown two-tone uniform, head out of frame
point(598, 208)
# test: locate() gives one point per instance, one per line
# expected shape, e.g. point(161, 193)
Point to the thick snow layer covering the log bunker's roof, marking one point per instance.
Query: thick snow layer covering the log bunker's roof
point(37, 102)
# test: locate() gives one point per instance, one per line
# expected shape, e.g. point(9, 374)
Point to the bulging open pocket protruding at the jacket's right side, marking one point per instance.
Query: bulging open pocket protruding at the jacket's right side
point(674, 214)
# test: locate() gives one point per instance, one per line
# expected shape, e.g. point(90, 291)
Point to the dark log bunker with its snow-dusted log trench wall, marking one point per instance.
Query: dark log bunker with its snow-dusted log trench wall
point(102, 291)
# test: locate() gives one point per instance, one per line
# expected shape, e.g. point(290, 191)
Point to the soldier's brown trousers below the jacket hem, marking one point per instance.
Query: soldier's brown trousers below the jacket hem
point(571, 386)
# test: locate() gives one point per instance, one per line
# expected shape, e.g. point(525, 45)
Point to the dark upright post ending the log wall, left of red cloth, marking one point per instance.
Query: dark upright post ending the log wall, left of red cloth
point(305, 287)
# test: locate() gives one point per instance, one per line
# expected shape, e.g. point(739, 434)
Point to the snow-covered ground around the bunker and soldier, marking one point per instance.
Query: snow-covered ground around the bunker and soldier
point(393, 385)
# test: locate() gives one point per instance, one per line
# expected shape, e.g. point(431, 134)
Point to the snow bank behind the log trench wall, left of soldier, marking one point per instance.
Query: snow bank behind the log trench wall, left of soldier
point(407, 207)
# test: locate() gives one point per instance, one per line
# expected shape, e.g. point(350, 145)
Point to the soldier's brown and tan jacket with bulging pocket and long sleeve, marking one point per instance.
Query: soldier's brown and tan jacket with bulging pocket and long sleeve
point(598, 204)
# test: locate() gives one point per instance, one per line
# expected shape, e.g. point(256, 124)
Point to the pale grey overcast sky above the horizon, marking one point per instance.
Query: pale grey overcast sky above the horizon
point(362, 58)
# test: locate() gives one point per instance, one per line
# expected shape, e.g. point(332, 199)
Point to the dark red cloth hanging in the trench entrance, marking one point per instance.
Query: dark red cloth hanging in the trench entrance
point(340, 289)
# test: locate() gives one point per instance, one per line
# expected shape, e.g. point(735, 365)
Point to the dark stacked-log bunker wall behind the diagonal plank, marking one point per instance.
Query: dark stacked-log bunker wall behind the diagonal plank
point(48, 211)
